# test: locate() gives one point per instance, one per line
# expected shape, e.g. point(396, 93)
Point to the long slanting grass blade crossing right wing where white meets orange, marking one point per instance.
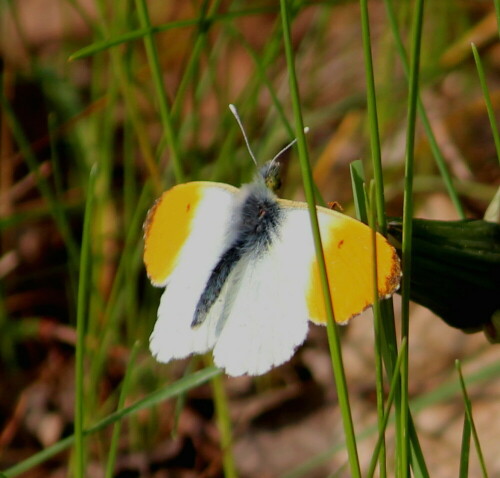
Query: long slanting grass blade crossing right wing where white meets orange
point(333, 335)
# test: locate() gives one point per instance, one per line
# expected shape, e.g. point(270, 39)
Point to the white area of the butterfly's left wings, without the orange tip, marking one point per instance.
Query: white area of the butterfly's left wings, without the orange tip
point(173, 336)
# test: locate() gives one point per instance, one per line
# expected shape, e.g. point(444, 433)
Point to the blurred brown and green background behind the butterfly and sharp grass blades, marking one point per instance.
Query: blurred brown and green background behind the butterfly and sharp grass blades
point(65, 109)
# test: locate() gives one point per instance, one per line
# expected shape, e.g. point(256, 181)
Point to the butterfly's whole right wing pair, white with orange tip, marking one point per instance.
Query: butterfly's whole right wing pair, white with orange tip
point(273, 295)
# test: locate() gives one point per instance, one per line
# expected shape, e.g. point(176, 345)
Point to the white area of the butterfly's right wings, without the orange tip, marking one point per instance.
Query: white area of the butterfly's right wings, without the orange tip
point(266, 316)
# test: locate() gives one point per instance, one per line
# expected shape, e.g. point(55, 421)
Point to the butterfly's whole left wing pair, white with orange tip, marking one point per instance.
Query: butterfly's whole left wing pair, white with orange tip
point(185, 234)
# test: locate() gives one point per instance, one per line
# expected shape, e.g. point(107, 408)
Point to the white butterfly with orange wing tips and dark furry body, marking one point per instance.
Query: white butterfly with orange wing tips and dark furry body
point(240, 273)
